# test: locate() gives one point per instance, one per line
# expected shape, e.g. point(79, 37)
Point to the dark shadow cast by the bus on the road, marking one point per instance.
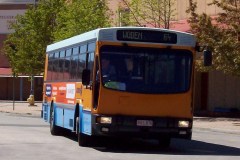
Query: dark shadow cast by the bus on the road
point(177, 147)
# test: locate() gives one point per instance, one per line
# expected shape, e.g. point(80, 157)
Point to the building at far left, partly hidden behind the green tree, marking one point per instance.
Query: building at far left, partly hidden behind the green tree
point(17, 88)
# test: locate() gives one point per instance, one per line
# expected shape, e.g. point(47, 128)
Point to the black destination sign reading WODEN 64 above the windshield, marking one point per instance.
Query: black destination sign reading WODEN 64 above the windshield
point(147, 36)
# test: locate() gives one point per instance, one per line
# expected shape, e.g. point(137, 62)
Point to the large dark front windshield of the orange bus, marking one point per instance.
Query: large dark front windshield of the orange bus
point(146, 70)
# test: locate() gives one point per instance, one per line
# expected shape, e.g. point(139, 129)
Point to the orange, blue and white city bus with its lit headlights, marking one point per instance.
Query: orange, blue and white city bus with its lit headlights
point(147, 93)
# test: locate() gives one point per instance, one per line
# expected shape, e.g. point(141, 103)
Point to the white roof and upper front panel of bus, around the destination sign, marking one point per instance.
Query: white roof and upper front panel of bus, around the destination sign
point(110, 34)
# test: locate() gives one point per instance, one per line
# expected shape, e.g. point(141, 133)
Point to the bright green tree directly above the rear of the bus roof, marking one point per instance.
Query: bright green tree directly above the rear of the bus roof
point(80, 16)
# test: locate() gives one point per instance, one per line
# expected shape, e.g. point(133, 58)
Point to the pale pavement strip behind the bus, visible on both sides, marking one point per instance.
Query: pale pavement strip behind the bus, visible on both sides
point(229, 125)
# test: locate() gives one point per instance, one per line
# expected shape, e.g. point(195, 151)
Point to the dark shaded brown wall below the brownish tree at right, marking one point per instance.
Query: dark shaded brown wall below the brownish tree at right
point(224, 91)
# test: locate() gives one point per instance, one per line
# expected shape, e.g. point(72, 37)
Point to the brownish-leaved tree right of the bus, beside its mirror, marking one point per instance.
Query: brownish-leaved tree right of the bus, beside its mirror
point(221, 34)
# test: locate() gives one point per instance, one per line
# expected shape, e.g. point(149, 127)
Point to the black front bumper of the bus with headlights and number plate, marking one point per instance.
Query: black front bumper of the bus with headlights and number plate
point(143, 127)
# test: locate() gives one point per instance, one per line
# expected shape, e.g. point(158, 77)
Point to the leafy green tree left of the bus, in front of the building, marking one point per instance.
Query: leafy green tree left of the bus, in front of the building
point(26, 47)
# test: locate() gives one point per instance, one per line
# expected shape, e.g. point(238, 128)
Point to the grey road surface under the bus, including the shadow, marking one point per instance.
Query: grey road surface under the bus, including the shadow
point(28, 138)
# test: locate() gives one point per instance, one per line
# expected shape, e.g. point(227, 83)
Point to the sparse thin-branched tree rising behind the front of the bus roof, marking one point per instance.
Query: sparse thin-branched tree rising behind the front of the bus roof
point(154, 13)
